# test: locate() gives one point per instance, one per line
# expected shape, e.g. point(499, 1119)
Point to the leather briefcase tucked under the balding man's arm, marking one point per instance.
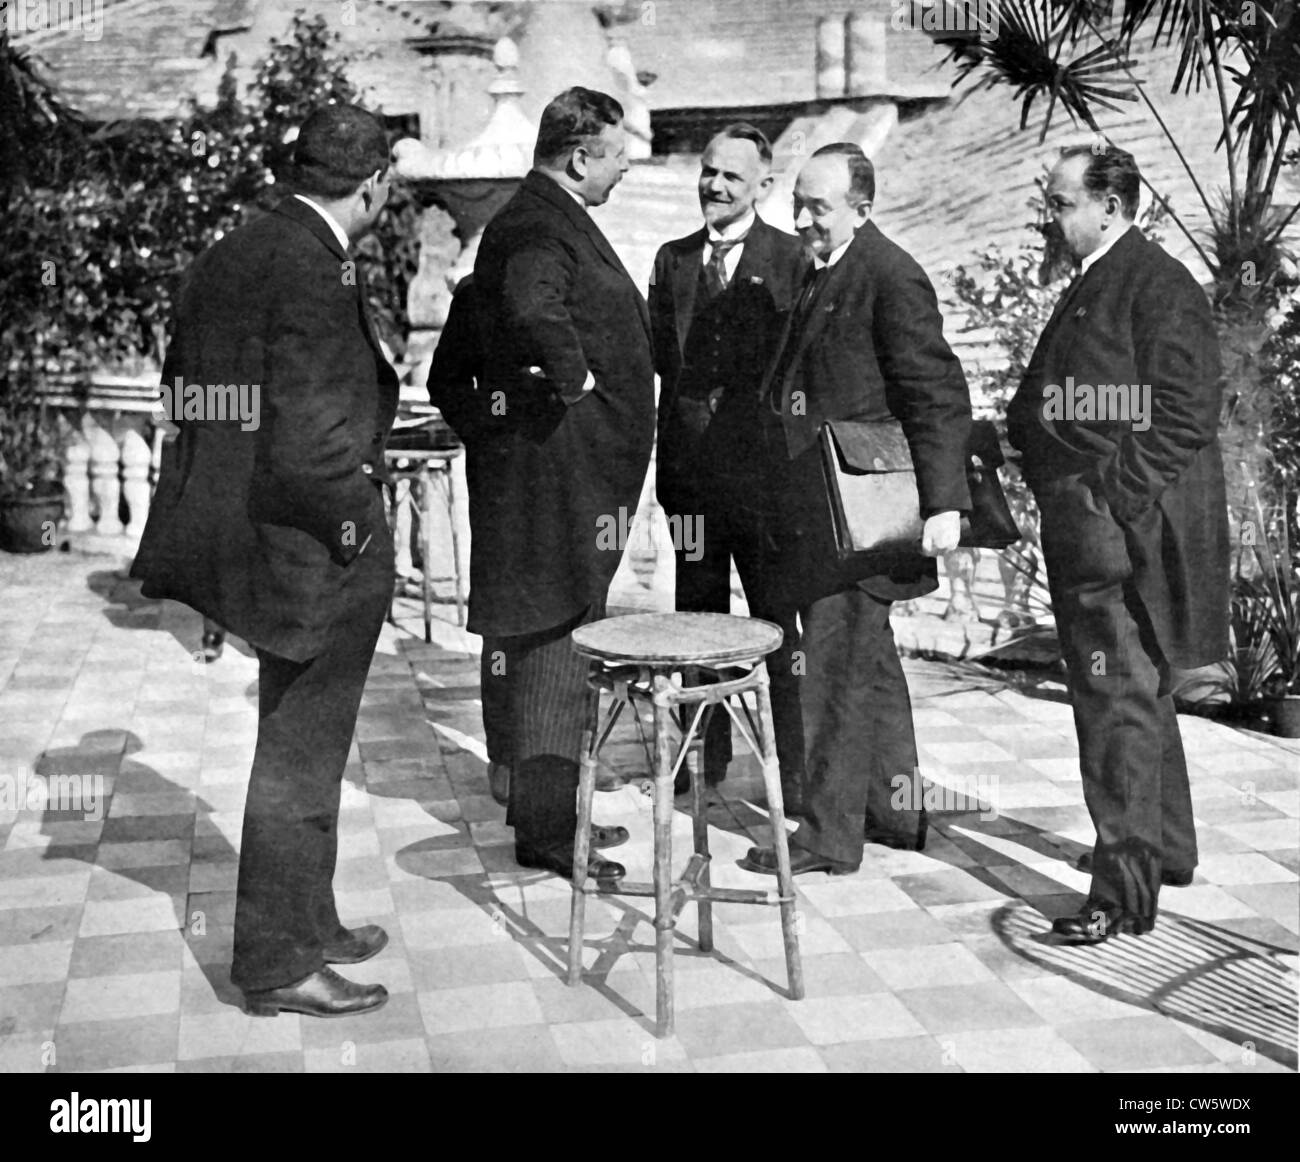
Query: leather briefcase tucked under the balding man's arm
point(872, 489)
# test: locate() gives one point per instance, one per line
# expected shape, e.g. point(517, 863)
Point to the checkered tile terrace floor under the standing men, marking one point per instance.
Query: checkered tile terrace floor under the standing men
point(116, 920)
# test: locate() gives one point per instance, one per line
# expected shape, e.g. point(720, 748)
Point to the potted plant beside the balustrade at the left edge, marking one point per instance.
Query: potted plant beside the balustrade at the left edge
point(32, 492)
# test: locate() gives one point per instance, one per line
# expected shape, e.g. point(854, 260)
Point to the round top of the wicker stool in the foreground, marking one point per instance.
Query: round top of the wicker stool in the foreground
point(678, 639)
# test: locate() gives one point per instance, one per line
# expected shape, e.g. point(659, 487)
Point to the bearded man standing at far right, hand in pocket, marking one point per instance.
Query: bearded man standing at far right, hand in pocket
point(1117, 418)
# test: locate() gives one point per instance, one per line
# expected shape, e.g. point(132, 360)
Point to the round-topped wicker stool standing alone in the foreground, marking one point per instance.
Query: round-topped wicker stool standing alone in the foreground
point(658, 658)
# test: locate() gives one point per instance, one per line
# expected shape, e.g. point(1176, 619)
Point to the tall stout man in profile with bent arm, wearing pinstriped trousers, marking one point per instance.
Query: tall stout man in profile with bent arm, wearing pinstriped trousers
point(560, 446)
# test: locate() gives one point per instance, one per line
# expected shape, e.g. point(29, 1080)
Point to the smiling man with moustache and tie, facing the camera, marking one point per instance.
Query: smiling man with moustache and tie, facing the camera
point(718, 301)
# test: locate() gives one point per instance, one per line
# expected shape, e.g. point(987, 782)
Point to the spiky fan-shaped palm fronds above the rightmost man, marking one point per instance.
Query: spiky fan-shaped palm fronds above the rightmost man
point(1078, 55)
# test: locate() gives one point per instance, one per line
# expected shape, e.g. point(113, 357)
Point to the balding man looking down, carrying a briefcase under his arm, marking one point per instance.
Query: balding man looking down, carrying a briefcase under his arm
point(865, 342)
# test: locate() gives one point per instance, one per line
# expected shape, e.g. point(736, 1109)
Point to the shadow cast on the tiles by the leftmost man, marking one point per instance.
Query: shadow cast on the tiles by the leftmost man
point(84, 782)
